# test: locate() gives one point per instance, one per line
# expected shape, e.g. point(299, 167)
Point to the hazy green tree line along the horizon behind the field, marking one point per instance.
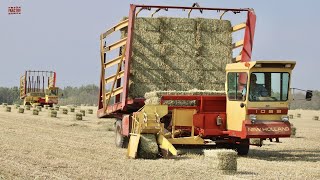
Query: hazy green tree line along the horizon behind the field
point(88, 94)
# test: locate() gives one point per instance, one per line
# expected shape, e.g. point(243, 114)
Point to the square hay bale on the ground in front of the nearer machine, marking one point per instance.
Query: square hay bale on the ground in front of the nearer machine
point(226, 159)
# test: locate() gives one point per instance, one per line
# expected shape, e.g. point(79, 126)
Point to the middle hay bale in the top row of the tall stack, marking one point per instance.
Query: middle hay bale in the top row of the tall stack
point(178, 24)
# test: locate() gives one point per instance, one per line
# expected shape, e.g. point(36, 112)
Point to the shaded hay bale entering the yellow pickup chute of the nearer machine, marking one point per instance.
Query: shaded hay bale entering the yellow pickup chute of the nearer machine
point(148, 147)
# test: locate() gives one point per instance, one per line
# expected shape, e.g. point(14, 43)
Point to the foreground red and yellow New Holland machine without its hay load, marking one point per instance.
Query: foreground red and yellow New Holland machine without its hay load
point(228, 120)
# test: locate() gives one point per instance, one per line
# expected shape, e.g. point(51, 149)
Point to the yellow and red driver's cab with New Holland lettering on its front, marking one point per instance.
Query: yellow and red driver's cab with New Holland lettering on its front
point(258, 98)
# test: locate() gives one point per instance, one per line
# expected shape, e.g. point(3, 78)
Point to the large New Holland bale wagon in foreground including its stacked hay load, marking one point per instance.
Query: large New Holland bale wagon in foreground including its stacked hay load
point(166, 78)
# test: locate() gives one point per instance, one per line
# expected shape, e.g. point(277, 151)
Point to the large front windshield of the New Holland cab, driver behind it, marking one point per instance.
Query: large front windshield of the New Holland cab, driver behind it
point(267, 86)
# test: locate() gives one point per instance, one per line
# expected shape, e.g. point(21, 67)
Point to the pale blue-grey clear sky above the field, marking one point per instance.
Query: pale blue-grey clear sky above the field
point(63, 36)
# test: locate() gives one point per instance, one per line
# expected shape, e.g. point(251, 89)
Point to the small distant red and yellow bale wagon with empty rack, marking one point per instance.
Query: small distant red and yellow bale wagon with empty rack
point(39, 88)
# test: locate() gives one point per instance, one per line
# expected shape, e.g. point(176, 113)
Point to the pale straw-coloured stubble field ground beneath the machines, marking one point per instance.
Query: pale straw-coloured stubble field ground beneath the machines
point(41, 147)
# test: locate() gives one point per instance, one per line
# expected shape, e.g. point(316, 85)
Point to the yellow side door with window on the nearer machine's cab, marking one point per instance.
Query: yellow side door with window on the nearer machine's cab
point(237, 88)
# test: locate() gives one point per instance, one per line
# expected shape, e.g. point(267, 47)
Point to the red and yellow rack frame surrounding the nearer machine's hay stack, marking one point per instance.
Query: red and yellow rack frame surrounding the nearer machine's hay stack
point(119, 81)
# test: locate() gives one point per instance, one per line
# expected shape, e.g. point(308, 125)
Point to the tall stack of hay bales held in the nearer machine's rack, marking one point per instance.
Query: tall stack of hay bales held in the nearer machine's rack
point(179, 54)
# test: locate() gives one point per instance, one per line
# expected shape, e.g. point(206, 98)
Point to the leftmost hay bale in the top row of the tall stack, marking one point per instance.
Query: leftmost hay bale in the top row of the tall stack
point(147, 24)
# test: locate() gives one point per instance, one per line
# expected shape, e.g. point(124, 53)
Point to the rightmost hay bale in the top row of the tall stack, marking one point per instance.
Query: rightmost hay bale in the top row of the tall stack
point(213, 25)
